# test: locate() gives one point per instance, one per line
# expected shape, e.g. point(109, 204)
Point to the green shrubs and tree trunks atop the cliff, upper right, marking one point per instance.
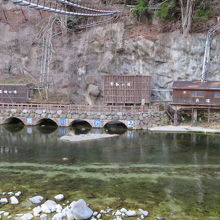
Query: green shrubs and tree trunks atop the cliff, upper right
point(186, 13)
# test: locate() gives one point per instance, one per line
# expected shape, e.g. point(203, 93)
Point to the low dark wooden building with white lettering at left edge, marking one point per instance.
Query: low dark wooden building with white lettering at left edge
point(15, 93)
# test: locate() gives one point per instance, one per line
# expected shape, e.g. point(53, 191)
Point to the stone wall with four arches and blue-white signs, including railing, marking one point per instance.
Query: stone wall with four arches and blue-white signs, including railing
point(133, 117)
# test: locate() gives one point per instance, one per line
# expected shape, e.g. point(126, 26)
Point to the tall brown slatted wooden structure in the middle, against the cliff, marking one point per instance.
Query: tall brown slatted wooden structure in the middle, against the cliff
point(126, 89)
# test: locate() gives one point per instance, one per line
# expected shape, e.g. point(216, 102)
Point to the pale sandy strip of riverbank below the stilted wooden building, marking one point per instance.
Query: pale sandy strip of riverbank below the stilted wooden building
point(186, 128)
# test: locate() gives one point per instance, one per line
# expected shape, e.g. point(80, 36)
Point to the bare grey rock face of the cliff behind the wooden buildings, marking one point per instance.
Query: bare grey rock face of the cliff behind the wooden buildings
point(80, 59)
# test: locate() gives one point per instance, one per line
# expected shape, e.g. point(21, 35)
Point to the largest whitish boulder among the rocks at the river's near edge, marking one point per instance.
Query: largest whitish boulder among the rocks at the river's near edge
point(80, 210)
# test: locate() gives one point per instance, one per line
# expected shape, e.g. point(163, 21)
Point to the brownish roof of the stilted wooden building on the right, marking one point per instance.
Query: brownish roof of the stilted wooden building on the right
point(196, 85)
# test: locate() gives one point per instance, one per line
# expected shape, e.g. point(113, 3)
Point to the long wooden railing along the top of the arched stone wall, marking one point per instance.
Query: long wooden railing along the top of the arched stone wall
point(74, 108)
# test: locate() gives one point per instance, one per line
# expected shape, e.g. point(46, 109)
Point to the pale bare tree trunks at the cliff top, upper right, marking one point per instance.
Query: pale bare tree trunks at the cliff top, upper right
point(187, 8)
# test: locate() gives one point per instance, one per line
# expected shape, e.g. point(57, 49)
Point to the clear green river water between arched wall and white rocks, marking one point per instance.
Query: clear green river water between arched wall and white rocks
point(176, 176)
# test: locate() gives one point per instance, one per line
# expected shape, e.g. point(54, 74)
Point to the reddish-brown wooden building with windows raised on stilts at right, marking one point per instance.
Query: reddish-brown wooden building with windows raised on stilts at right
point(196, 93)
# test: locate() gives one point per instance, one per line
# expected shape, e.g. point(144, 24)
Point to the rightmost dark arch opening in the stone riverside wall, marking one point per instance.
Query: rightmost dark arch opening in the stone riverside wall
point(115, 127)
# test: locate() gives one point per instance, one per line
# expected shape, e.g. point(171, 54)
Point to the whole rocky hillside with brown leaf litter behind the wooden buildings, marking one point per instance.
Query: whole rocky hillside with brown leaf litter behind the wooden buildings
point(145, 43)
